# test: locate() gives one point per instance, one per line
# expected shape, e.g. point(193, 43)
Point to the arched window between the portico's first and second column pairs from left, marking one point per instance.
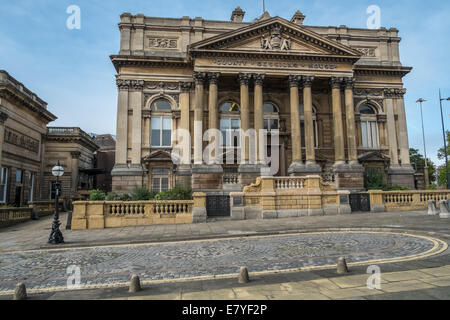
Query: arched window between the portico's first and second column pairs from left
point(230, 124)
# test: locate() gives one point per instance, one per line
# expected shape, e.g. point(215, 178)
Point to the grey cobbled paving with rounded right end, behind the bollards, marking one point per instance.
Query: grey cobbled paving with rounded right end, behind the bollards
point(115, 264)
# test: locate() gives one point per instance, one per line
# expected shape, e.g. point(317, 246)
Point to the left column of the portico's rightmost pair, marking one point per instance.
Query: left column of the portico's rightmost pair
point(339, 152)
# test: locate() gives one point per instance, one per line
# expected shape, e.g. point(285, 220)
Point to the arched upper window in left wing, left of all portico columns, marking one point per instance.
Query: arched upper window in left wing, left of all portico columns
point(161, 123)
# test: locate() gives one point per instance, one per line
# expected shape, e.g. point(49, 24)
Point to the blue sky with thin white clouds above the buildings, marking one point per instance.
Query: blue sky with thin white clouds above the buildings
point(71, 69)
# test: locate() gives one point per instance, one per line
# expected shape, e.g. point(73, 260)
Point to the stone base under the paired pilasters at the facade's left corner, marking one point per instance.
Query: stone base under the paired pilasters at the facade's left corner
point(126, 178)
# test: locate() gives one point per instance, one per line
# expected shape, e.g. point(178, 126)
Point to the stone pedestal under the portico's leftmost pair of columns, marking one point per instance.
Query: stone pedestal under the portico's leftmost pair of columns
point(206, 177)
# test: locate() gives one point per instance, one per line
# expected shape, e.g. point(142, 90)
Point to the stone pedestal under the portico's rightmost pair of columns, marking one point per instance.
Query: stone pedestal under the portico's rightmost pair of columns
point(349, 176)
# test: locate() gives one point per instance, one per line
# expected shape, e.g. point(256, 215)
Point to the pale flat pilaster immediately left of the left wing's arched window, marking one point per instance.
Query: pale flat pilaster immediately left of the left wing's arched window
point(136, 105)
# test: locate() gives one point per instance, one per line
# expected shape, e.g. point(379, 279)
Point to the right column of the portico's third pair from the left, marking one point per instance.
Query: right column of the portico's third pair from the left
point(311, 165)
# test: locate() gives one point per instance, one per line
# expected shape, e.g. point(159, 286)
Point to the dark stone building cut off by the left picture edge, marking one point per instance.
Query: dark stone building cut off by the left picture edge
point(23, 126)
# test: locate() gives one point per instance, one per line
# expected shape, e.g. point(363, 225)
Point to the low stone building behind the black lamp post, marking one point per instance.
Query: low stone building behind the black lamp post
point(75, 150)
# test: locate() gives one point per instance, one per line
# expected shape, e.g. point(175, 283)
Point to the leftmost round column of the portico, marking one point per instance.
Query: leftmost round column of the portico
point(200, 78)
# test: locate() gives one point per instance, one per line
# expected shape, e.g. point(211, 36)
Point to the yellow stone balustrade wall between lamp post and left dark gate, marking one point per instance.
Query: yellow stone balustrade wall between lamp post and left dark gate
point(111, 214)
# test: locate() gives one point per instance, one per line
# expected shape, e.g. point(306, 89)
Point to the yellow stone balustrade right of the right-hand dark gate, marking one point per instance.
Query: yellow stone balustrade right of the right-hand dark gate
point(405, 200)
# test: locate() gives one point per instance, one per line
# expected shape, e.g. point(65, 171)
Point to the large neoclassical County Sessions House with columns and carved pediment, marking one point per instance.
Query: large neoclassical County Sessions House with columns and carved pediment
point(334, 95)
